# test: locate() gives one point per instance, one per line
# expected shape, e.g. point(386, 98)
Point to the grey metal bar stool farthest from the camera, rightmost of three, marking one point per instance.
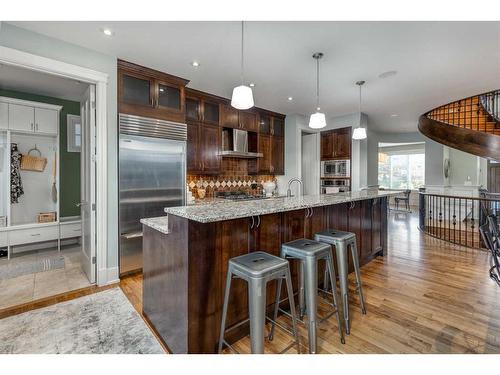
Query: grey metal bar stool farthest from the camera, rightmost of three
point(341, 241)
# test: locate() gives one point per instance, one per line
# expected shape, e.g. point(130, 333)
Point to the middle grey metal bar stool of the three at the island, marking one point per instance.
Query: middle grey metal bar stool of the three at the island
point(309, 252)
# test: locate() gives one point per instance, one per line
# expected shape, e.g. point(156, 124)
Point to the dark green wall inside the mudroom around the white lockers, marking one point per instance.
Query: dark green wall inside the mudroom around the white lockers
point(69, 168)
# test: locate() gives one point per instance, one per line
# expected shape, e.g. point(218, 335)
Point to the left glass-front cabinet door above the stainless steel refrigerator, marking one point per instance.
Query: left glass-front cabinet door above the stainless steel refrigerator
point(136, 89)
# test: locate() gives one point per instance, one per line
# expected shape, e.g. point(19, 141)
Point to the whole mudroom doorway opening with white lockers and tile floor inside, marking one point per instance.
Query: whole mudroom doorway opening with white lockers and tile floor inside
point(47, 211)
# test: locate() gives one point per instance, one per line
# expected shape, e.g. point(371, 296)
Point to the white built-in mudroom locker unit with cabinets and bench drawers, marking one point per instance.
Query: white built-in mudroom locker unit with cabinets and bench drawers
point(30, 124)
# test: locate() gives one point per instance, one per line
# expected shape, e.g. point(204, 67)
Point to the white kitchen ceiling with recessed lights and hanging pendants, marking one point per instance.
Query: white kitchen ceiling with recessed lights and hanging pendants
point(436, 61)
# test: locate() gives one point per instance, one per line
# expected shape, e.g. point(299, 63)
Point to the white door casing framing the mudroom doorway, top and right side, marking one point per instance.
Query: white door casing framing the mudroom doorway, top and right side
point(26, 60)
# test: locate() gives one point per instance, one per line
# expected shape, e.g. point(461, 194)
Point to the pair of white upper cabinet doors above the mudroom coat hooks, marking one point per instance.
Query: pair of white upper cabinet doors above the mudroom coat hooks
point(32, 119)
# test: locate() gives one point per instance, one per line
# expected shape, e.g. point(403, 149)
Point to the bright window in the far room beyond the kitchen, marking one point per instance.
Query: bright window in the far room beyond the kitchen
point(401, 166)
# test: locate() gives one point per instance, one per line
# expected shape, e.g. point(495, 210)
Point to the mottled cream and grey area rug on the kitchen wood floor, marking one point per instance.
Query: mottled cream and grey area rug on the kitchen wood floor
point(100, 323)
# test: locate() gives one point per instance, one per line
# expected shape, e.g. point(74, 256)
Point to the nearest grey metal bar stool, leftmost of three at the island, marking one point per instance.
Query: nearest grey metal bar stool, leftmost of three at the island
point(257, 269)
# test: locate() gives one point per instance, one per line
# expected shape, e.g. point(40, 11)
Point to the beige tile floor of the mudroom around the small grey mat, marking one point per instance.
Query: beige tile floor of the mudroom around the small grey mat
point(27, 288)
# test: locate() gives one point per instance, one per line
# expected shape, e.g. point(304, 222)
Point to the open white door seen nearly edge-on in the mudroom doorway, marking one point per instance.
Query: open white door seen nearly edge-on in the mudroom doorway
point(87, 173)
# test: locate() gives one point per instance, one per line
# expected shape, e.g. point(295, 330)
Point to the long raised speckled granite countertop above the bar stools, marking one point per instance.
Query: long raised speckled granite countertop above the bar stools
point(220, 211)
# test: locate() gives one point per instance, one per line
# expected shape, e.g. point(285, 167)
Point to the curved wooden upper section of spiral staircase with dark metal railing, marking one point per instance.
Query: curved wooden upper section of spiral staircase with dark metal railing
point(471, 125)
